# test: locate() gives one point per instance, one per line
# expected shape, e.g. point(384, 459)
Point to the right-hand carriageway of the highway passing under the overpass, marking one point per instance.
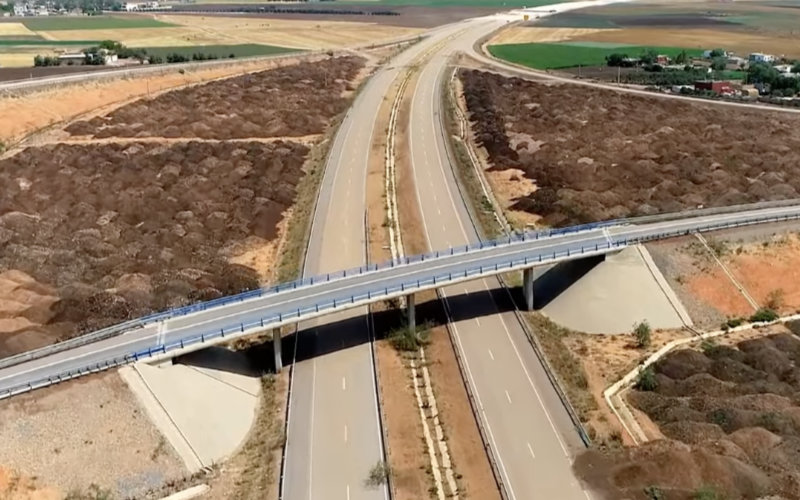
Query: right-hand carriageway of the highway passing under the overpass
point(530, 433)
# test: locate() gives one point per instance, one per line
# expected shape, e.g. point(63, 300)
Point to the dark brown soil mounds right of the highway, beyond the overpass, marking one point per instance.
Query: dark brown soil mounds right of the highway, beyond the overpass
point(596, 154)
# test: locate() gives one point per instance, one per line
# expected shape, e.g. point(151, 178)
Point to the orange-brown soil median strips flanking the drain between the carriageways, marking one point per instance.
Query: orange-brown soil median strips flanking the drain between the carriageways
point(408, 455)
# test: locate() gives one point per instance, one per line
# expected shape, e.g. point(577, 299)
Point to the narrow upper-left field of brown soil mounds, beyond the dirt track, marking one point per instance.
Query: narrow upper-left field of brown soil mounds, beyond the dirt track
point(299, 100)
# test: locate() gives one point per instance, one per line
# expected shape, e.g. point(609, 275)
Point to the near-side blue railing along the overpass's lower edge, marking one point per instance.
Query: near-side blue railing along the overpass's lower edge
point(403, 288)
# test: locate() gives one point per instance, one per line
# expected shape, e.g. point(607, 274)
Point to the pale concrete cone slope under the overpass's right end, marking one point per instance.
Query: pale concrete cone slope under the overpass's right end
point(615, 294)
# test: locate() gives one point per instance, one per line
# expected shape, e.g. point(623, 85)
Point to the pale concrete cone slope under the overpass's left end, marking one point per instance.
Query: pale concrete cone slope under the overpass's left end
point(204, 409)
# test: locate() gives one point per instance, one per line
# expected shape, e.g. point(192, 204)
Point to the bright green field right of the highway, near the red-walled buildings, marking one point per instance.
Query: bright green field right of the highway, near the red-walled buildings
point(560, 55)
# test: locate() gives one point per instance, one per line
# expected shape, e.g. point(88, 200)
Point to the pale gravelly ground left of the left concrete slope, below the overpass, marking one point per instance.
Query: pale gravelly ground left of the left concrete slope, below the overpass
point(84, 432)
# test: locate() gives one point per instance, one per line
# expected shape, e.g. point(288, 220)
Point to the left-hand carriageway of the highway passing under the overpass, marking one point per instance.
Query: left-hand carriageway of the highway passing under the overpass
point(333, 432)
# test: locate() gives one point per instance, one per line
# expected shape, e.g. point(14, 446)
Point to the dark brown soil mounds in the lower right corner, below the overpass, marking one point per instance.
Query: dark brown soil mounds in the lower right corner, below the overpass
point(732, 416)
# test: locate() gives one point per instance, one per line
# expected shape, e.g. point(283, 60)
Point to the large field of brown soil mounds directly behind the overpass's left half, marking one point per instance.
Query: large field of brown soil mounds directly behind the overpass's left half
point(152, 226)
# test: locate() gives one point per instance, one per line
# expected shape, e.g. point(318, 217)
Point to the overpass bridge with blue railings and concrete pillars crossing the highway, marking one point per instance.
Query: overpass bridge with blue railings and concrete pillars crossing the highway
point(178, 331)
